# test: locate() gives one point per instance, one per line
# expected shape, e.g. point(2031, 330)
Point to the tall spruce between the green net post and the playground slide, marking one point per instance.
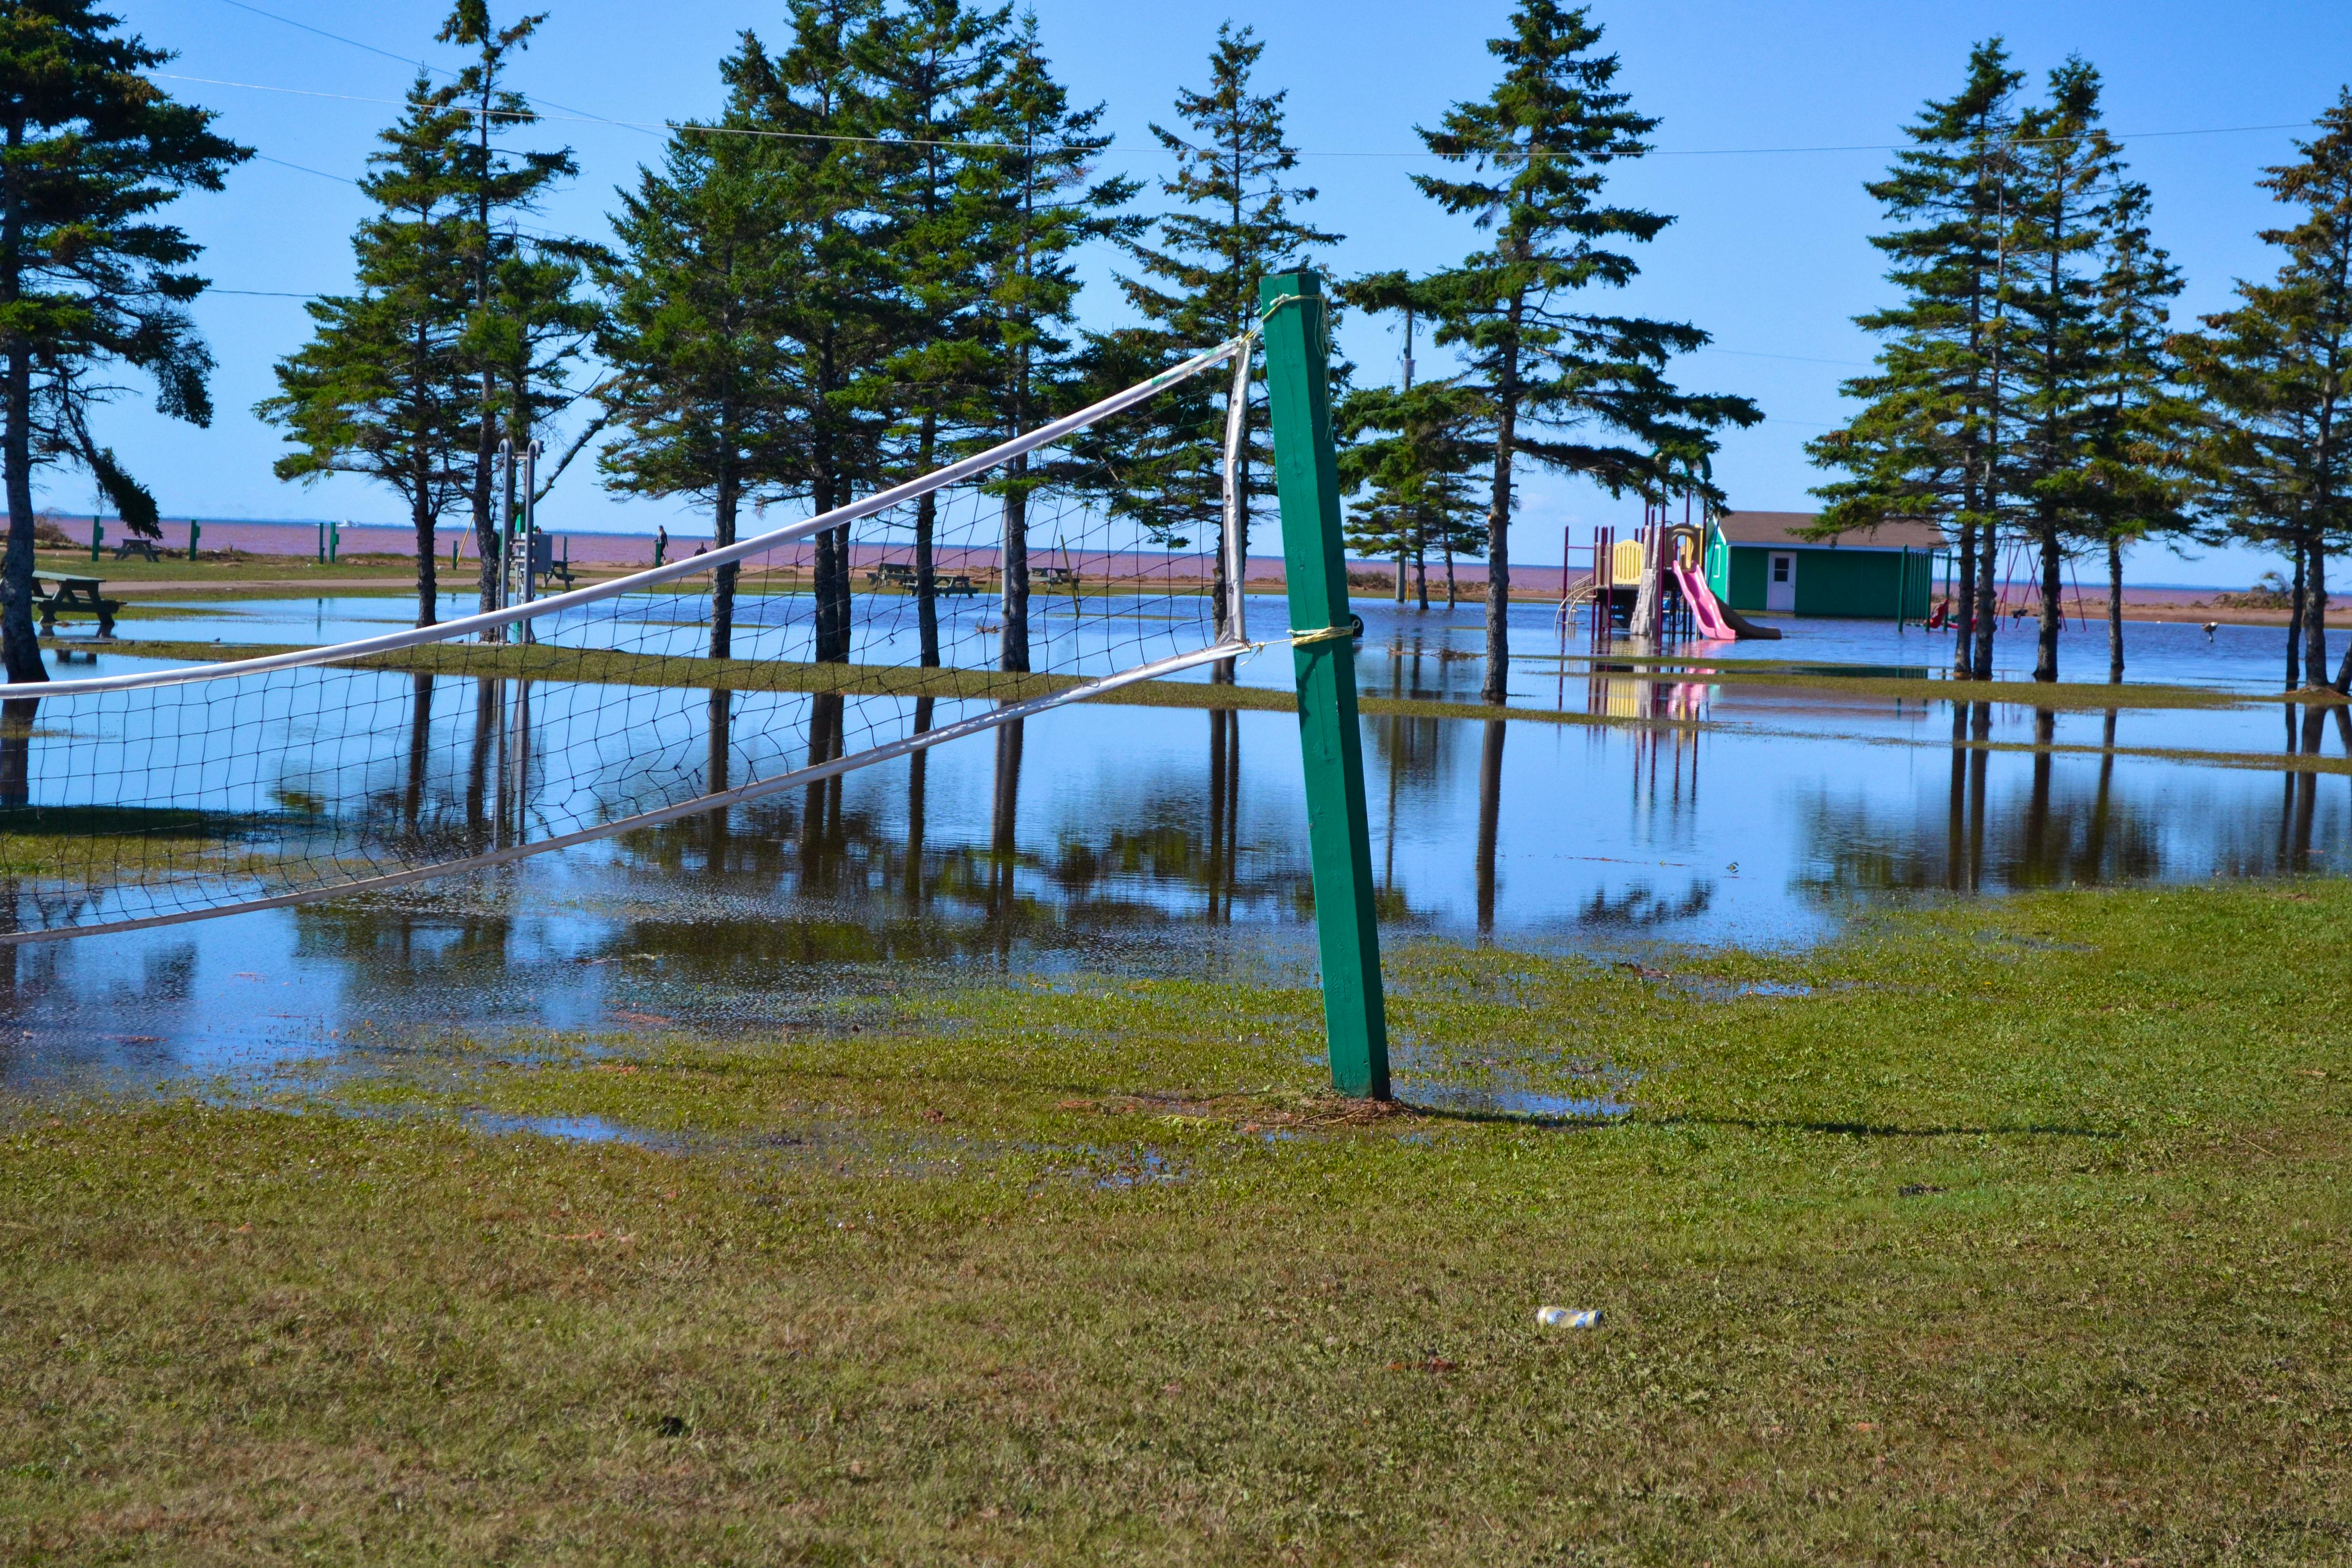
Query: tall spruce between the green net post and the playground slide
point(1558, 384)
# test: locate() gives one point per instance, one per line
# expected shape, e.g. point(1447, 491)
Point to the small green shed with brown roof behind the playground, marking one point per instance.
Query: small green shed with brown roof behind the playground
point(1758, 563)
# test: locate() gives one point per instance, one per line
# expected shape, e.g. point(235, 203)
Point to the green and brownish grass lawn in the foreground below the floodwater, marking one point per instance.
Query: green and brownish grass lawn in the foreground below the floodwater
point(2022, 1238)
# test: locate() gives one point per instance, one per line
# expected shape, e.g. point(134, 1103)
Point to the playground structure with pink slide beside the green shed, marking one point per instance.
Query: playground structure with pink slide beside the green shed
point(1650, 584)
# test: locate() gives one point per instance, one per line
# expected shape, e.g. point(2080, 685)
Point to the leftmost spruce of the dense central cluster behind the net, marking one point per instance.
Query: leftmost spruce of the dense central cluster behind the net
point(693, 340)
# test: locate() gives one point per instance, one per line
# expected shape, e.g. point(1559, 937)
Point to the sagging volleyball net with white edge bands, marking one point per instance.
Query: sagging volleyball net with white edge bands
point(1097, 551)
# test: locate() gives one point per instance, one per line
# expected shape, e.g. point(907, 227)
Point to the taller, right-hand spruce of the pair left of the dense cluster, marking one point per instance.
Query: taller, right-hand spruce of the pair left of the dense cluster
point(500, 185)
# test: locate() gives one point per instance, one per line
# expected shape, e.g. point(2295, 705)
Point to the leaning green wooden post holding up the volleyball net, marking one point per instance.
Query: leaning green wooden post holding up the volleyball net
point(1314, 561)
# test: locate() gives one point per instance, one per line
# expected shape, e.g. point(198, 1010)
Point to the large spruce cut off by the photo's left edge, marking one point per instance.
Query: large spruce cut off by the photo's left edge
point(91, 152)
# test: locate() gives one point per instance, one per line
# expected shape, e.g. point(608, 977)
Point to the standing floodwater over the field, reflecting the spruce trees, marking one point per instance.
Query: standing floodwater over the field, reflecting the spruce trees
point(1168, 843)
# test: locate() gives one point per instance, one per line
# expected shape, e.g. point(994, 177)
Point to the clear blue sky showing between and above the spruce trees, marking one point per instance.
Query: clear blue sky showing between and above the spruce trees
point(1772, 121)
